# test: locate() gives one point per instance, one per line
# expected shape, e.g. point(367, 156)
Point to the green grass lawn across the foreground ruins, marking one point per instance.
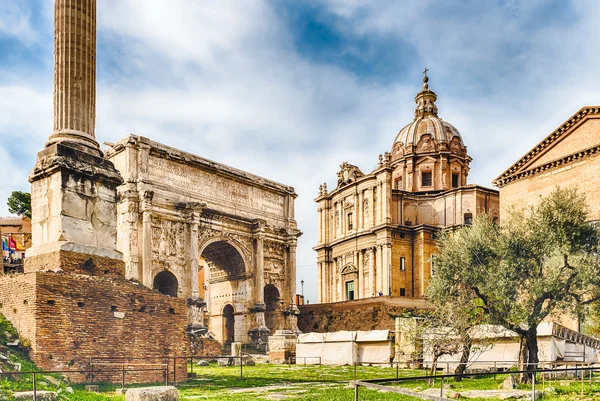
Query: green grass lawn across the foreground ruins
point(309, 383)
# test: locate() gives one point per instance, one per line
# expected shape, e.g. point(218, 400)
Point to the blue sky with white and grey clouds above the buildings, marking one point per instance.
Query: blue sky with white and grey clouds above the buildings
point(288, 90)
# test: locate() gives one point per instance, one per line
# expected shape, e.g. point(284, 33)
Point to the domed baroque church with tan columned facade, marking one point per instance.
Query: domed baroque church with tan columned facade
point(377, 231)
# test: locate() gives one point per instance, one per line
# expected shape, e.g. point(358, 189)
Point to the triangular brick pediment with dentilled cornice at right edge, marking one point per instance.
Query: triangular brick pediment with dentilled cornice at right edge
point(577, 137)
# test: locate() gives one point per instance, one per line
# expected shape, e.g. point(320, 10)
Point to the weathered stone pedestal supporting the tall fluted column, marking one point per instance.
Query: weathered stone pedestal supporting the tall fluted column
point(73, 201)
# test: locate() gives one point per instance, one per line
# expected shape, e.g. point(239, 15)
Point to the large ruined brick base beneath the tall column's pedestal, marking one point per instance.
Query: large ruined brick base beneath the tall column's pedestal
point(71, 318)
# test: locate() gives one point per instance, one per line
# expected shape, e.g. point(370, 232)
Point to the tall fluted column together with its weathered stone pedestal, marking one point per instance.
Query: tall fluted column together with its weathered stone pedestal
point(73, 188)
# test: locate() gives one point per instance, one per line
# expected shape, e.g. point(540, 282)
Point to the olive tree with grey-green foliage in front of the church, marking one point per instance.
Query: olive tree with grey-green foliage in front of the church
point(541, 261)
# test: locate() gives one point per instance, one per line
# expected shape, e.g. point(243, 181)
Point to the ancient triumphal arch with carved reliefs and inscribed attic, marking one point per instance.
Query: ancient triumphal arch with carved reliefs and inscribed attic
point(220, 237)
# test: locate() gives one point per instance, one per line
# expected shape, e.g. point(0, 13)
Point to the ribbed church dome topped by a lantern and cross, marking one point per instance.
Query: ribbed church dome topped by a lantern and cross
point(427, 132)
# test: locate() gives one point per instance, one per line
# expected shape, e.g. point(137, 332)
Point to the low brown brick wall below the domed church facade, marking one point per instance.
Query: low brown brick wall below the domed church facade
point(363, 314)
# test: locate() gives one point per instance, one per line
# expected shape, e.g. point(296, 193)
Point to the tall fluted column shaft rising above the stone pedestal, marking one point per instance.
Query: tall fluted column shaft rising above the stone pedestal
point(74, 72)
